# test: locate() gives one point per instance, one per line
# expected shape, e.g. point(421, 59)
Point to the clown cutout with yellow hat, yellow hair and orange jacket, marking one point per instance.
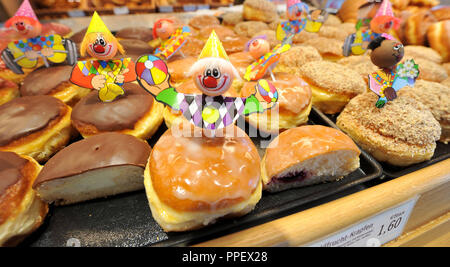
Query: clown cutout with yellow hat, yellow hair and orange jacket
point(104, 74)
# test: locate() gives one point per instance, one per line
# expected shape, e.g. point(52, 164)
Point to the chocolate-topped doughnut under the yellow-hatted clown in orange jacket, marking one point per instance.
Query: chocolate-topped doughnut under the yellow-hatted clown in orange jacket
point(135, 113)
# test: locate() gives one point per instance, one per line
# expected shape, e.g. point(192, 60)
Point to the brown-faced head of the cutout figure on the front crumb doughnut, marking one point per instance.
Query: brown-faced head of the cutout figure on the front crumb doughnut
point(386, 53)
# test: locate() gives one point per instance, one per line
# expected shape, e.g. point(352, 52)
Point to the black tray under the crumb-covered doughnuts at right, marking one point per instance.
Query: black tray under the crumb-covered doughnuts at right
point(441, 152)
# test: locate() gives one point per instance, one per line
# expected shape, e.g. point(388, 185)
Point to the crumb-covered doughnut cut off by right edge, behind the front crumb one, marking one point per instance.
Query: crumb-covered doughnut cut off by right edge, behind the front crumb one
point(436, 97)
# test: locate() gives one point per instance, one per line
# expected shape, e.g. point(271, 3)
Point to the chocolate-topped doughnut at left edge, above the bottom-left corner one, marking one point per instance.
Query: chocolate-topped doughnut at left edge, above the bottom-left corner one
point(36, 126)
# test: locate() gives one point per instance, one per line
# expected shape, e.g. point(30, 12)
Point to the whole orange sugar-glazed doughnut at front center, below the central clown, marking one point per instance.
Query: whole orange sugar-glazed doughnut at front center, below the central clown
point(191, 182)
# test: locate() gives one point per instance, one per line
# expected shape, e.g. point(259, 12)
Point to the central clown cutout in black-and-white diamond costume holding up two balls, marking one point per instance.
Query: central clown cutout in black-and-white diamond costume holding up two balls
point(213, 75)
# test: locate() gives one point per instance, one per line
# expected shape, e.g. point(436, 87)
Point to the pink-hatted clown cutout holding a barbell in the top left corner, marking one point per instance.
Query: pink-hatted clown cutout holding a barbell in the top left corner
point(29, 47)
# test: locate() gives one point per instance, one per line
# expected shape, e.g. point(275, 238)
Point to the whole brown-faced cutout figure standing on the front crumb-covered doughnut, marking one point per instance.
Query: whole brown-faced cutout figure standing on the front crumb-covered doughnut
point(391, 77)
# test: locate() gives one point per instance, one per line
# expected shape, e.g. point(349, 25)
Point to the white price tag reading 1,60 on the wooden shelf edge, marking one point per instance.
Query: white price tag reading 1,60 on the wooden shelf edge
point(374, 232)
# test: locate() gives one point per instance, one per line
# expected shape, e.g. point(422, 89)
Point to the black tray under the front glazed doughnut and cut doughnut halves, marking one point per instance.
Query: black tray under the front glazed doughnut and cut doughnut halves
point(126, 220)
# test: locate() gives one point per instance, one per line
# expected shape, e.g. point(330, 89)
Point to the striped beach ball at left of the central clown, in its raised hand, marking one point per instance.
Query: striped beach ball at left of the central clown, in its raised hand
point(151, 69)
